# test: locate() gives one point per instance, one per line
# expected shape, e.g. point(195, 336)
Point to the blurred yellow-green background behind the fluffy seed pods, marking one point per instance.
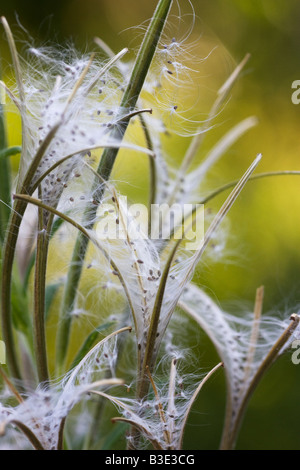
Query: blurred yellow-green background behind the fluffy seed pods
point(264, 231)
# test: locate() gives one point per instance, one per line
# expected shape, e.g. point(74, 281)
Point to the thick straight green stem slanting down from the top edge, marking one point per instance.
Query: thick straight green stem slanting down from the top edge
point(129, 100)
